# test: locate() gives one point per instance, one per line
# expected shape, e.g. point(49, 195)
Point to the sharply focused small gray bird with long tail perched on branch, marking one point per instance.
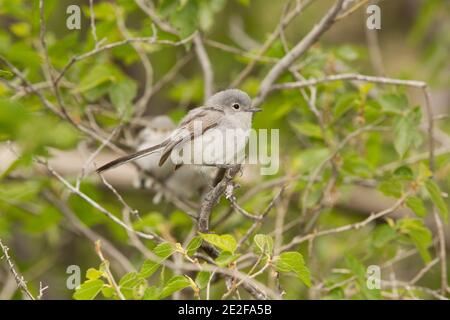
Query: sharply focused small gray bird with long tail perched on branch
point(227, 111)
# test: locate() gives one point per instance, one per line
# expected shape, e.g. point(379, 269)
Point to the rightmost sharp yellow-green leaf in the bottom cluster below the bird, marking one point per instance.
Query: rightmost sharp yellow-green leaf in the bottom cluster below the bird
point(293, 262)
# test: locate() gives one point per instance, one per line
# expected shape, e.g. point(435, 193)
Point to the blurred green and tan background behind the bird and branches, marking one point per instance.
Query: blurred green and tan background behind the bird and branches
point(49, 228)
